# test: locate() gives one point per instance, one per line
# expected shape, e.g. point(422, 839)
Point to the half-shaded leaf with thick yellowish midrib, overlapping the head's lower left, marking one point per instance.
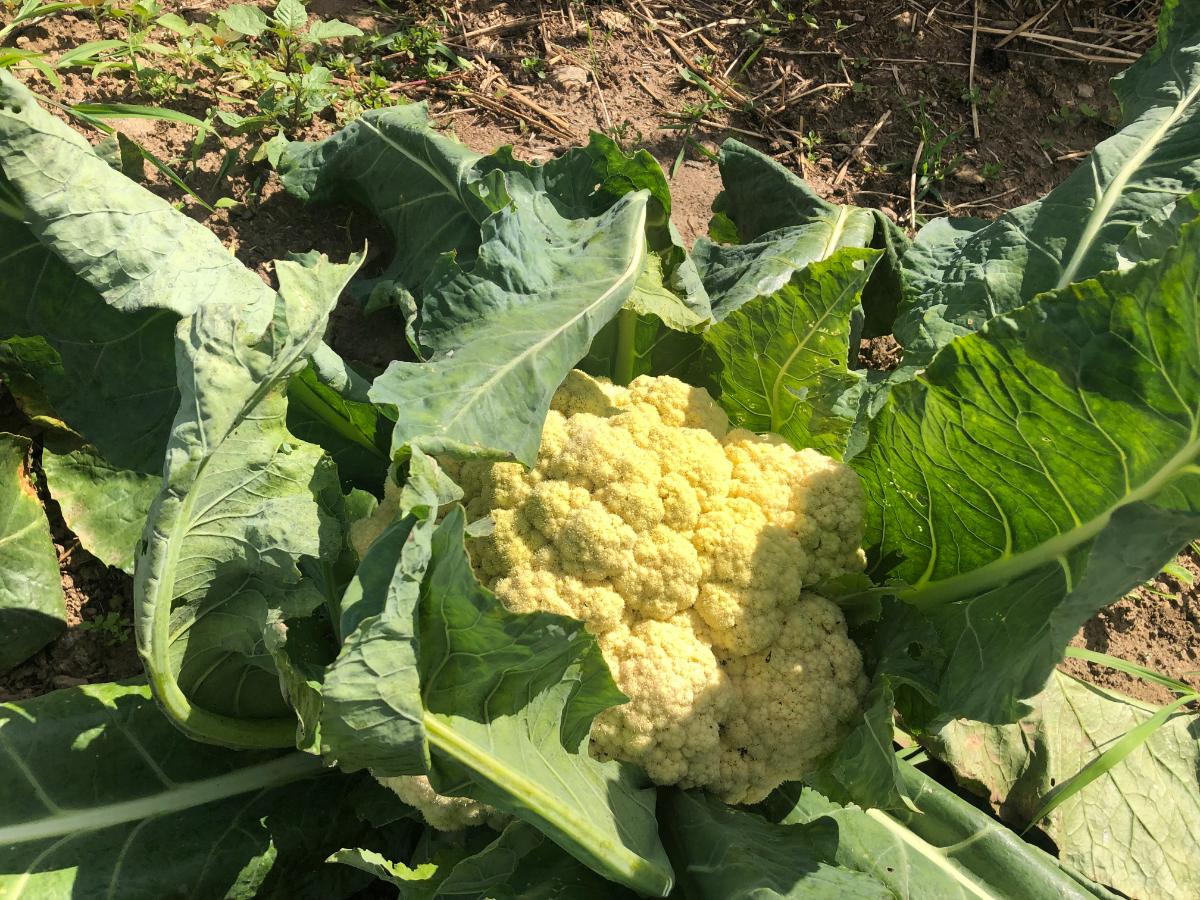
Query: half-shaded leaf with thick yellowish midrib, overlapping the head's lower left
point(505, 697)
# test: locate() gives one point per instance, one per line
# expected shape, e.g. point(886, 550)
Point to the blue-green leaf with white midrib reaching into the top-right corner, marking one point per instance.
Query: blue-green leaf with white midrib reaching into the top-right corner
point(958, 275)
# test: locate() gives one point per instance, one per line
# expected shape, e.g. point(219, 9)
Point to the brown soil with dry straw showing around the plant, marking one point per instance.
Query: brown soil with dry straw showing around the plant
point(873, 105)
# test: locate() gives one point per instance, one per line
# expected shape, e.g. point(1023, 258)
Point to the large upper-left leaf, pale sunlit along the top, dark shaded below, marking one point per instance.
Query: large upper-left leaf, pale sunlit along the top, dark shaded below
point(97, 273)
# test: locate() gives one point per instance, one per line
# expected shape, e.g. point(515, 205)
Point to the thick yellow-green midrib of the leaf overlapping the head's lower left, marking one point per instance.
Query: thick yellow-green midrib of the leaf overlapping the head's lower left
point(569, 821)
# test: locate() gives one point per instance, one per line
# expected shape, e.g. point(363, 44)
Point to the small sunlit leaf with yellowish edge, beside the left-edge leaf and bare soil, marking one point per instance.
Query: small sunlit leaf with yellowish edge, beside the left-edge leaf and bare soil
point(105, 507)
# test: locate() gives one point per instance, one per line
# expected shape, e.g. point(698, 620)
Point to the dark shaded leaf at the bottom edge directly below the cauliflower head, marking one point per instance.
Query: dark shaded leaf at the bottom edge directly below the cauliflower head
point(723, 854)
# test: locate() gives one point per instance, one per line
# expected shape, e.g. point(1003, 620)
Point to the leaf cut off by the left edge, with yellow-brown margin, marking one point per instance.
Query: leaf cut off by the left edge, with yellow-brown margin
point(33, 608)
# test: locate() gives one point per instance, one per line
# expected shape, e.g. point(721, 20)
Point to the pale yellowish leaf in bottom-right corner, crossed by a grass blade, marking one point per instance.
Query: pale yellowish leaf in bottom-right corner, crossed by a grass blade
point(1149, 805)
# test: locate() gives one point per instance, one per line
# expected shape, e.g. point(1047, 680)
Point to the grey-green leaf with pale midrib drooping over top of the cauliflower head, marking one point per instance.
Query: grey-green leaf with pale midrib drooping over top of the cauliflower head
point(507, 333)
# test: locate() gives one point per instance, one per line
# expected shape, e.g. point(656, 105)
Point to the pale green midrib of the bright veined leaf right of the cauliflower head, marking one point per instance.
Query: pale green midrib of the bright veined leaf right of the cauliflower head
point(933, 593)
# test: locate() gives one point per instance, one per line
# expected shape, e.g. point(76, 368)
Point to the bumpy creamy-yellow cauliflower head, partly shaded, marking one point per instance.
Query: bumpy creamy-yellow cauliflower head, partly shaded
point(687, 549)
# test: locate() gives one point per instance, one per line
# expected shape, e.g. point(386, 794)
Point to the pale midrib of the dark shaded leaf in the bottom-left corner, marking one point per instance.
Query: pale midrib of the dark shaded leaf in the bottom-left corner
point(275, 773)
